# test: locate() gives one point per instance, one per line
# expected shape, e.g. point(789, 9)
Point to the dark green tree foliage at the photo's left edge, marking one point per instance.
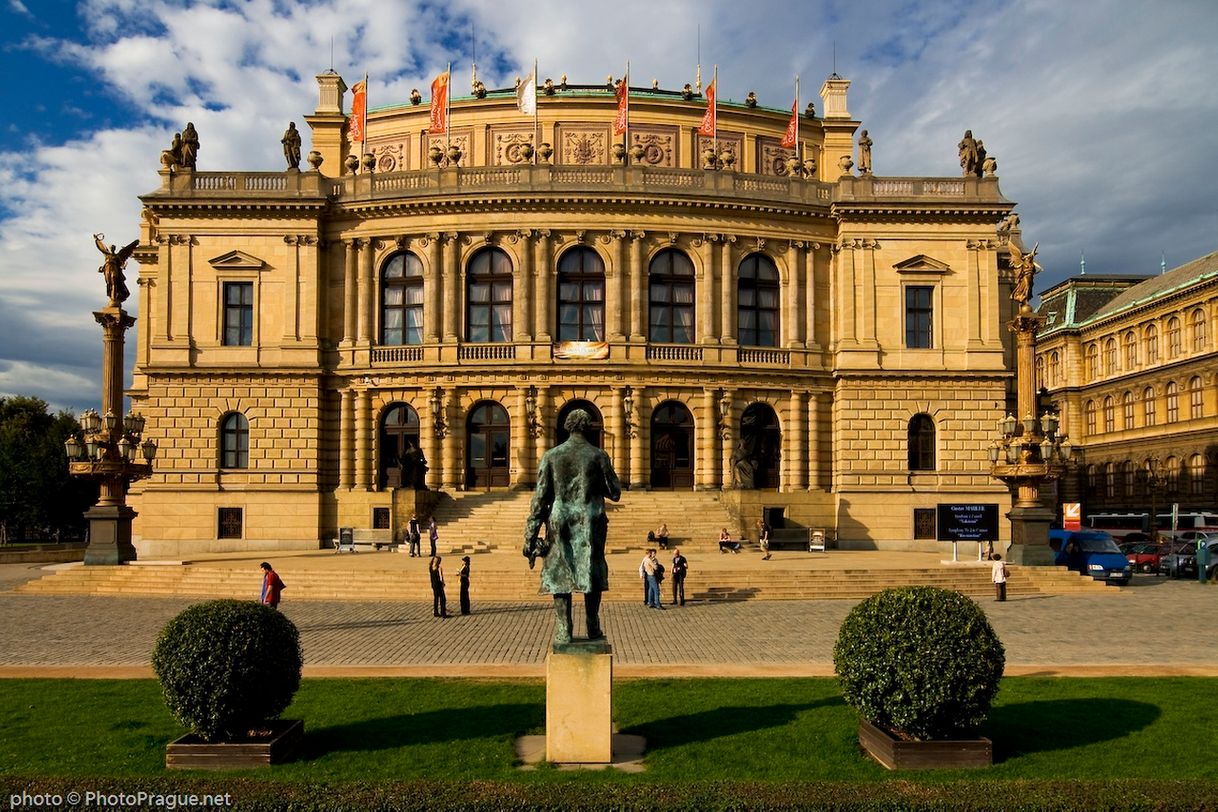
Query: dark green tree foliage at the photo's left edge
point(37, 495)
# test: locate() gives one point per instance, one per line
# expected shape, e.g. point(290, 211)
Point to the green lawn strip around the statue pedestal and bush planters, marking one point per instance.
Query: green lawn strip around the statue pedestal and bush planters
point(1048, 732)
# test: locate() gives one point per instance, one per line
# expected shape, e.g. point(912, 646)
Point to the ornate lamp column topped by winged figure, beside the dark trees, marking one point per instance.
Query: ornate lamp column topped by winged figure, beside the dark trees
point(113, 451)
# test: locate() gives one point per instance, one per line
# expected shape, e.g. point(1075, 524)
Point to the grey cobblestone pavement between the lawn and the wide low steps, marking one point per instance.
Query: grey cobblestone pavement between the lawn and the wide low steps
point(1153, 628)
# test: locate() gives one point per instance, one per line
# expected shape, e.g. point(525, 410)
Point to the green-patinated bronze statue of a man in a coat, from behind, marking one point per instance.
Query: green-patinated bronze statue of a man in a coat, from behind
point(573, 483)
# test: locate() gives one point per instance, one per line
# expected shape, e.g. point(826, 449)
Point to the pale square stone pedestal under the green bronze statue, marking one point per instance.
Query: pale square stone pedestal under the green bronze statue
point(579, 703)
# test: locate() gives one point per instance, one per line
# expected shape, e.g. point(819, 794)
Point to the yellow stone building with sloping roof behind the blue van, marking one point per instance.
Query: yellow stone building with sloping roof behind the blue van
point(1131, 362)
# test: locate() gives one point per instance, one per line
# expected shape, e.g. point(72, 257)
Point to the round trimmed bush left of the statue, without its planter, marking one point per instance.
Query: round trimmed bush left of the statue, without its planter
point(228, 665)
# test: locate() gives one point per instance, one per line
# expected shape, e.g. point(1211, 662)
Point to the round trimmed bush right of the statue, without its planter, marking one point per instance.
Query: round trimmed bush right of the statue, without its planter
point(921, 662)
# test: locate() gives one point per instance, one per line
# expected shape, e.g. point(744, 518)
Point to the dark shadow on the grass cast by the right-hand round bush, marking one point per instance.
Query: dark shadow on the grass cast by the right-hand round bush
point(1060, 725)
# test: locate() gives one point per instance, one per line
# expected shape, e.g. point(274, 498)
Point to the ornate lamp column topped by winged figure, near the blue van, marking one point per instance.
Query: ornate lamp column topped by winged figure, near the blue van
point(1029, 452)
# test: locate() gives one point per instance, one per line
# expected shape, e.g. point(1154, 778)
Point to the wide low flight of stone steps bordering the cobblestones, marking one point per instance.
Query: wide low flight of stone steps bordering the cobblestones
point(502, 578)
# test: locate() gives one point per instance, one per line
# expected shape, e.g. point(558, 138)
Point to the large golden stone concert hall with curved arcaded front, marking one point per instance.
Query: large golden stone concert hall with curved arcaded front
point(828, 343)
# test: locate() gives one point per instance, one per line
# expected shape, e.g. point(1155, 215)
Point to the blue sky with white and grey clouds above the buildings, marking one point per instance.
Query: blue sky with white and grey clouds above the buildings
point(1103, 115)
